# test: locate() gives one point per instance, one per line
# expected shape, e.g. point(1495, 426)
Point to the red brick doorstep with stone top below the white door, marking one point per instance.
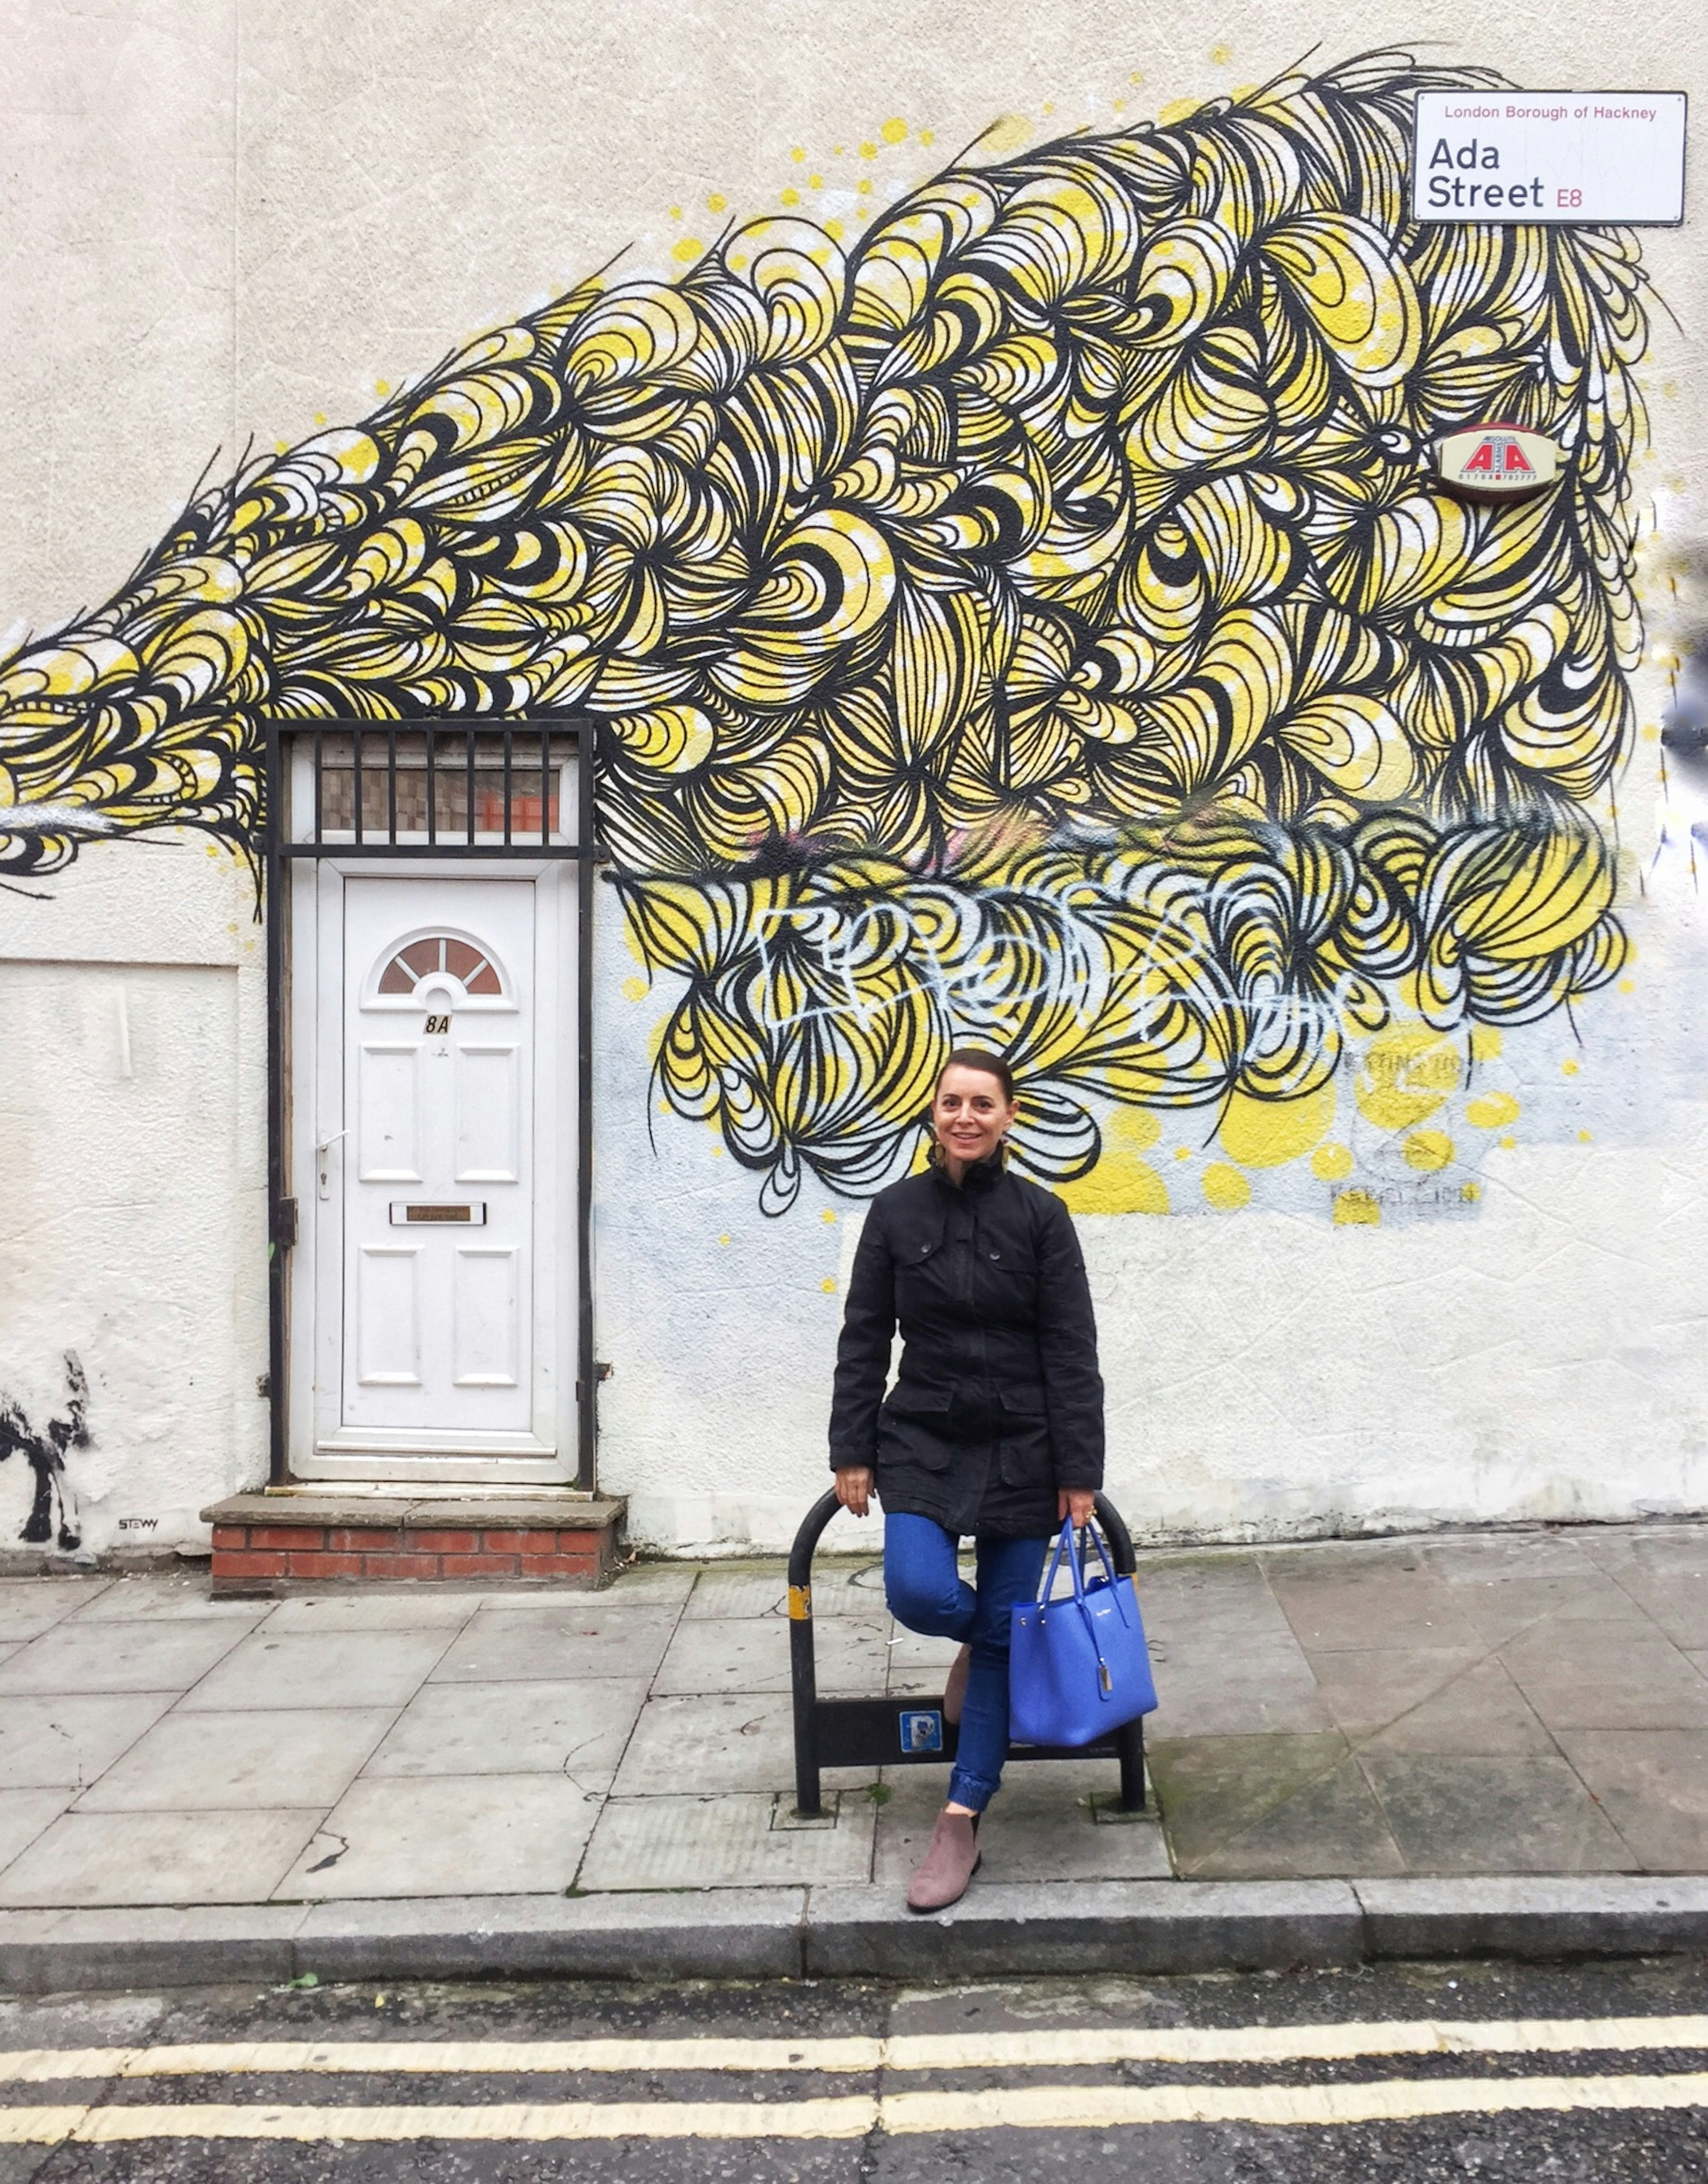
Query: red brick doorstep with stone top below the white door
point(281, 1543)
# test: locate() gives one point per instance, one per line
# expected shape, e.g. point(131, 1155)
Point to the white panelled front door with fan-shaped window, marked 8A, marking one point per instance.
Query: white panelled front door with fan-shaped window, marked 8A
point(436, 1178)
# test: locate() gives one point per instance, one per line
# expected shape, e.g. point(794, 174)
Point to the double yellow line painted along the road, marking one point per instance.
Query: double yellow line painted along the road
point(1054, 2106)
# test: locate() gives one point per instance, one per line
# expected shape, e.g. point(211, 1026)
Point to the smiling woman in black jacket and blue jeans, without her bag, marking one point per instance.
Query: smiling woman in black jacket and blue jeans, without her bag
point(995, 1425)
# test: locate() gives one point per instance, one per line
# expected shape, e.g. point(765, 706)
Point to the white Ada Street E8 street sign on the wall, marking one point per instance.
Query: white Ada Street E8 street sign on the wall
point(1550, 158)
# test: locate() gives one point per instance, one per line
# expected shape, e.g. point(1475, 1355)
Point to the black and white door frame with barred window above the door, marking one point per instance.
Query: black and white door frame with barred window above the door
point(298, 757)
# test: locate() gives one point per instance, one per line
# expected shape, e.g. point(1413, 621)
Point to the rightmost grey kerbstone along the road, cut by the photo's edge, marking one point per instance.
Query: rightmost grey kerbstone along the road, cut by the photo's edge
point(1532, 1919)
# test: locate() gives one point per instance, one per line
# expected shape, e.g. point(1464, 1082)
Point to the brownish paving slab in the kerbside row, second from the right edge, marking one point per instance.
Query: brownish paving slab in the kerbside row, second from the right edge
point(1473, 1816)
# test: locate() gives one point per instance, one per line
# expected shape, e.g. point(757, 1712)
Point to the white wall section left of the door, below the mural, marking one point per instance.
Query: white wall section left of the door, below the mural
point(134, 1163)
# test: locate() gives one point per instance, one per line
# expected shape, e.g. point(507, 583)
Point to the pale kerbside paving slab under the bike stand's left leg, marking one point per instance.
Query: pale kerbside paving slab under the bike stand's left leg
point(722, 1842)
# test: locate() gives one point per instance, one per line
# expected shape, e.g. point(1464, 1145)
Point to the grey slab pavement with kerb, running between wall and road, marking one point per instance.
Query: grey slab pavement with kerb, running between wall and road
point(1364, 1750)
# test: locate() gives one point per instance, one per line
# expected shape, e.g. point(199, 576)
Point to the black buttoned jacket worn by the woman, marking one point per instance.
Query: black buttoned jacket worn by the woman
point(999, 1399)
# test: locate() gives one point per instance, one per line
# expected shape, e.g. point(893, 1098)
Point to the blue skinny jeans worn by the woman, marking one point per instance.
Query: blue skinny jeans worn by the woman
point(929, 1595)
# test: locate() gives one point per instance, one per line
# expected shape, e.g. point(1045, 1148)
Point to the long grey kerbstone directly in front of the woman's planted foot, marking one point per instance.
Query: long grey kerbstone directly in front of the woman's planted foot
point(1082, 1927)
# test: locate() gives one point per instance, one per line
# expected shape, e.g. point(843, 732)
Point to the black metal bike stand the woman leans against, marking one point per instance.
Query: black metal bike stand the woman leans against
point(912, 1733)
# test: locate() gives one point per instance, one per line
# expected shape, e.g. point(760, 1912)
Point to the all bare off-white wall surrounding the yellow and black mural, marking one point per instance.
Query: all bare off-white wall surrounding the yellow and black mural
point(233, 222)
